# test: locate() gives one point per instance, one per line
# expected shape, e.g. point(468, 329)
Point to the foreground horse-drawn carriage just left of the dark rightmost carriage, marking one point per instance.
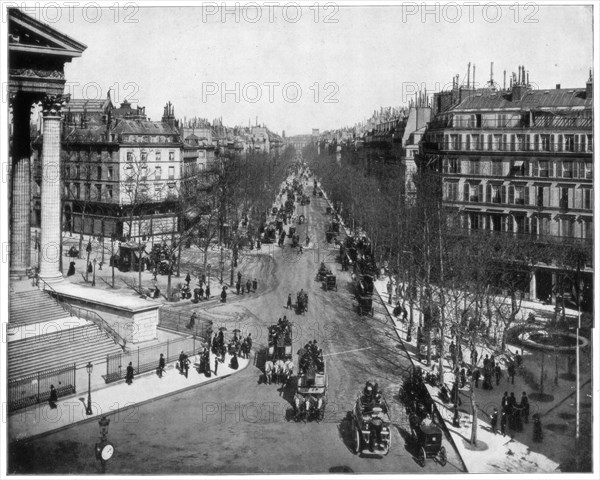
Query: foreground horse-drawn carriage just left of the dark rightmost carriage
point(371, 423)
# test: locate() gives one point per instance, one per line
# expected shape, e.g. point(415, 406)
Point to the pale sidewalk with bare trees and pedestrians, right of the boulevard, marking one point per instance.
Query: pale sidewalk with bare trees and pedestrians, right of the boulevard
point(495, 453)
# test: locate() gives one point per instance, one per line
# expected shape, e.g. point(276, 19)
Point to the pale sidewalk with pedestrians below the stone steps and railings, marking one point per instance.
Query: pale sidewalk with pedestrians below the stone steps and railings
point(118, 398)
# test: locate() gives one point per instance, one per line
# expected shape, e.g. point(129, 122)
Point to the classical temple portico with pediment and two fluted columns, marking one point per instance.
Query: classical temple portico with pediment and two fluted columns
point(36, 54)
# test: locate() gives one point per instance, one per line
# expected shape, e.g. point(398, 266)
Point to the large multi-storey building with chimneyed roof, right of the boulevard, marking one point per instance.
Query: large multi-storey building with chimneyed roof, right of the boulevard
point(518, 161)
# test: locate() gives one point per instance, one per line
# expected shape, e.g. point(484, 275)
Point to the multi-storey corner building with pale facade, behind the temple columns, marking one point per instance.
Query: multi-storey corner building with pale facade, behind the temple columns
point(121, 173)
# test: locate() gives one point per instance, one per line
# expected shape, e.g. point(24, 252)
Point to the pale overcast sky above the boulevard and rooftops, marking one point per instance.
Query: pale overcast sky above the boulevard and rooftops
point(328, 67)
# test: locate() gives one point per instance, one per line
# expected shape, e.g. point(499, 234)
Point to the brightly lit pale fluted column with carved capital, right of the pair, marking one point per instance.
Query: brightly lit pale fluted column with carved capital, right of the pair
point(51, 204)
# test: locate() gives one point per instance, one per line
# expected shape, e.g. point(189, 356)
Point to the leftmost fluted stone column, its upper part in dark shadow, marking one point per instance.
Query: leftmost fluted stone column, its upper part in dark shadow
point(20, 187)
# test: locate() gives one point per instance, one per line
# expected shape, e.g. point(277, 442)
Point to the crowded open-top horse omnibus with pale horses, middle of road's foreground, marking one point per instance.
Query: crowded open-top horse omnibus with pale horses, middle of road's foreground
point(311, 391)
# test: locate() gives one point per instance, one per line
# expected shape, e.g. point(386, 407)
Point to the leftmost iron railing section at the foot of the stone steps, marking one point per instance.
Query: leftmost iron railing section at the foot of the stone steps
point(35, 388)
